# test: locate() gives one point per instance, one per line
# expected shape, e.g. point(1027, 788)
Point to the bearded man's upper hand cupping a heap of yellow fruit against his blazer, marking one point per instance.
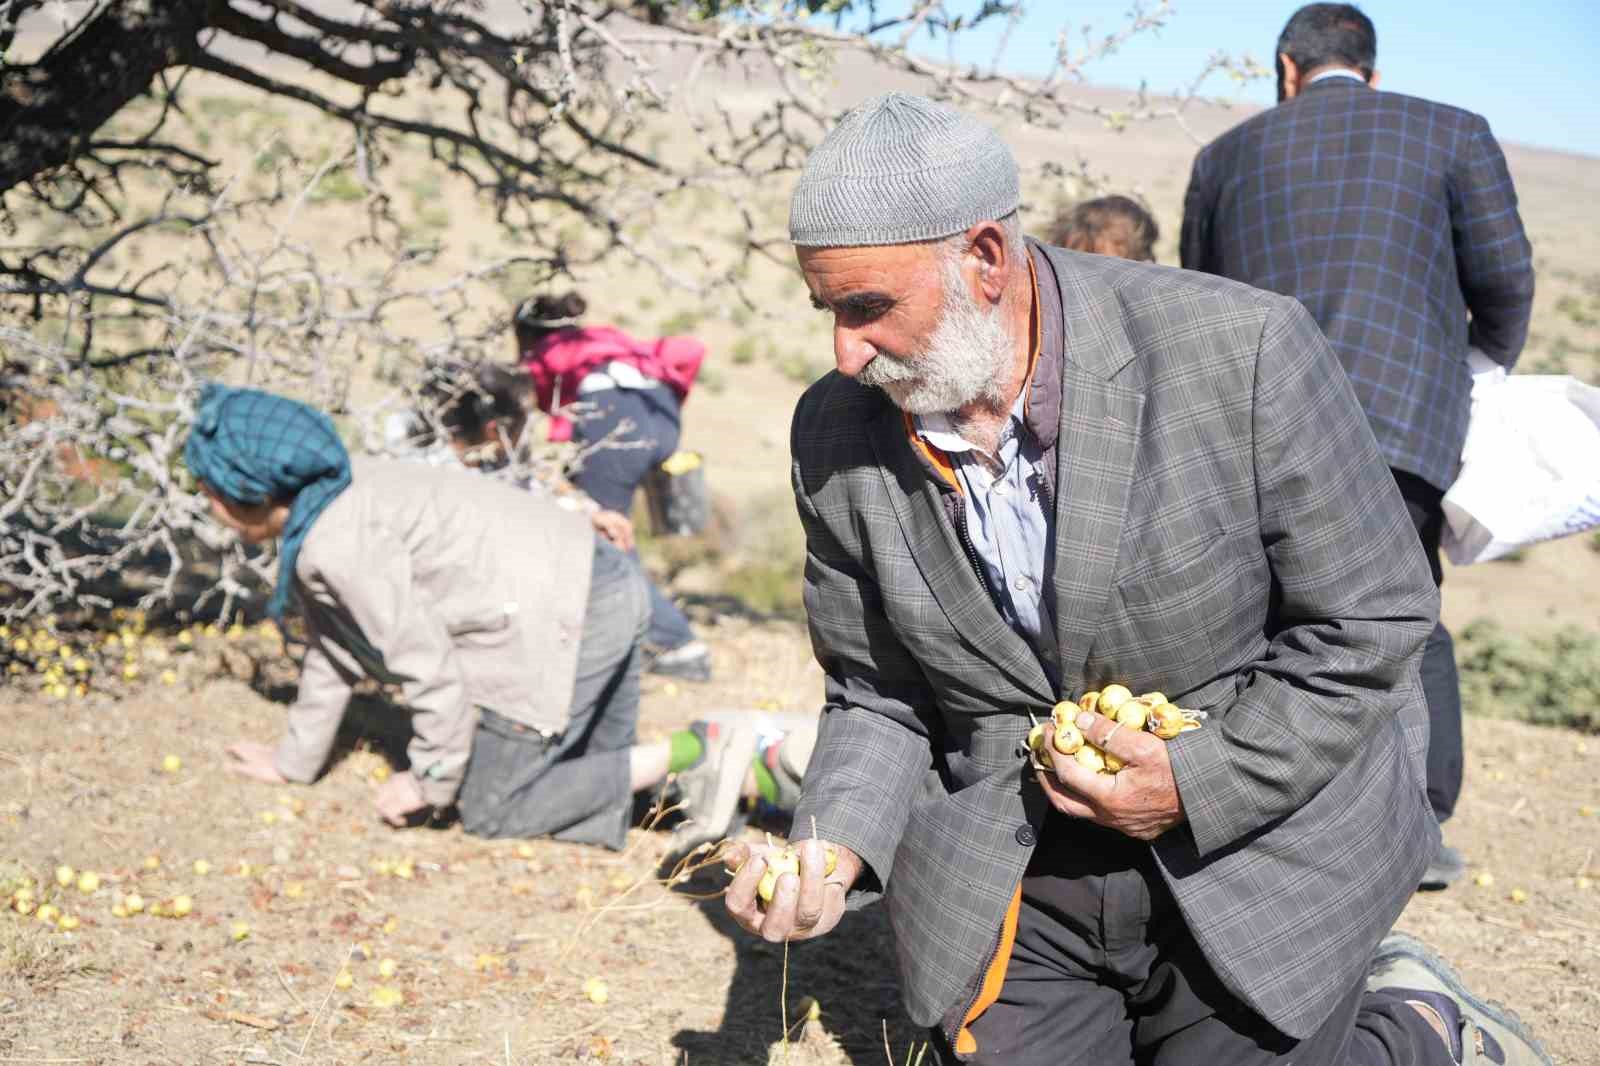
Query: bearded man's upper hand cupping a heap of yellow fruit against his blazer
point(1140, 801)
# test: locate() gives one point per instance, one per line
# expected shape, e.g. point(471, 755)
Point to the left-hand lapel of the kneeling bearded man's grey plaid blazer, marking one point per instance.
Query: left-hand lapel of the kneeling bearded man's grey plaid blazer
point(938, 553)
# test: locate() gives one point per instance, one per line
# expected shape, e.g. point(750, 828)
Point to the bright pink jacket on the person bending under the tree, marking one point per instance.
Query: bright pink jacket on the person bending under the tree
point(561, 359)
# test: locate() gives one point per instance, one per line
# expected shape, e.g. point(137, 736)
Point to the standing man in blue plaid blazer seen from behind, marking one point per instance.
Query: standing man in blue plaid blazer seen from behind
point(1394, 222)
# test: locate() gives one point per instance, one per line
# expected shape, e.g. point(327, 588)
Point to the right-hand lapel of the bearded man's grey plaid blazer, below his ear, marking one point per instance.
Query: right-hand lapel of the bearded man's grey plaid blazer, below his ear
point(1097, 451)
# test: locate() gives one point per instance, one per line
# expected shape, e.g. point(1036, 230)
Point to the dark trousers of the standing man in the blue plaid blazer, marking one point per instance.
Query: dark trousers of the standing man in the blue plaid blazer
point(1441, 683)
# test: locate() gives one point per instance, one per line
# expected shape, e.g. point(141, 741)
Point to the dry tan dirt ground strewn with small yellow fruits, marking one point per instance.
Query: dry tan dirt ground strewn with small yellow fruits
point(494, 942)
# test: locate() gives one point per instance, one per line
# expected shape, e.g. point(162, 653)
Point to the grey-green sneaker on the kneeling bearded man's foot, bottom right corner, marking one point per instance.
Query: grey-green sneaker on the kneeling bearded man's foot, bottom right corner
point(1481, 1030)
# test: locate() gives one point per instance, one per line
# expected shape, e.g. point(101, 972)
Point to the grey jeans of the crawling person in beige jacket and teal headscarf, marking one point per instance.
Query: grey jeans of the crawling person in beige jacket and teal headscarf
point(574, 787)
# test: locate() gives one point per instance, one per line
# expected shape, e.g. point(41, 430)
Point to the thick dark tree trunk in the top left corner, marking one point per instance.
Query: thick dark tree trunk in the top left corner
point(49, 110)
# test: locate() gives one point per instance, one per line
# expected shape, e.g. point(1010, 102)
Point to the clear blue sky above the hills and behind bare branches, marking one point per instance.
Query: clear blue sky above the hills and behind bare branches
point(1532, 70)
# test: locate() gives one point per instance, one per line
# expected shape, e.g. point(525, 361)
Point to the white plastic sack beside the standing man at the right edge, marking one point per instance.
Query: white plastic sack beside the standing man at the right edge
point(1530, 470)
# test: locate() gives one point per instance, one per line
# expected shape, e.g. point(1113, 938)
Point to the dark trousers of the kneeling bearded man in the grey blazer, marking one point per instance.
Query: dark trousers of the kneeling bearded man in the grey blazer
point(1105, 972)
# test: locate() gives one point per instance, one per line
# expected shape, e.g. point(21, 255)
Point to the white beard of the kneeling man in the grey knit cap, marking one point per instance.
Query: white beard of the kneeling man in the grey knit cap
point(964, 363)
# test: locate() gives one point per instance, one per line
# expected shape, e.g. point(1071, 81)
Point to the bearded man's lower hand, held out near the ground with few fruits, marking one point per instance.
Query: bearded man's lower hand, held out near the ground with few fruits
point(802, 907)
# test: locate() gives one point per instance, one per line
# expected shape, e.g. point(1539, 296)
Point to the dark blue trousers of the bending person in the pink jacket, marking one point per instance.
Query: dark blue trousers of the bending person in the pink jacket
point(612, 475)
